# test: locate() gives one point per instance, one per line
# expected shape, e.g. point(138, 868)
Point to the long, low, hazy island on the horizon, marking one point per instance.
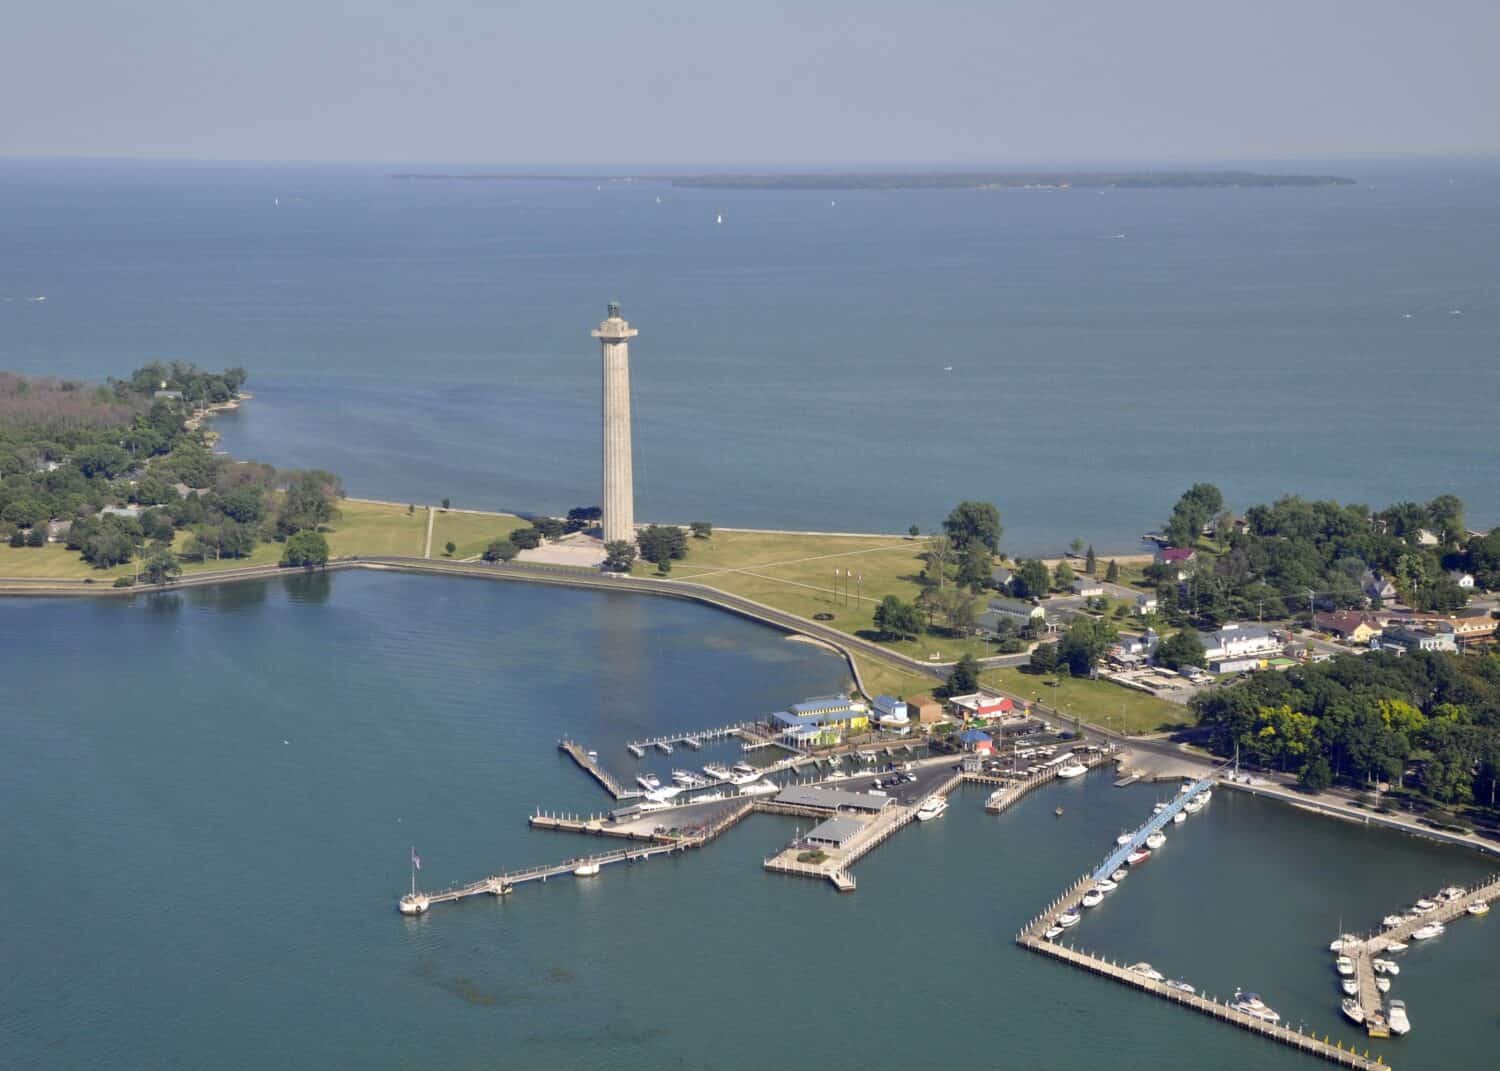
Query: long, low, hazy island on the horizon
point(934, 179)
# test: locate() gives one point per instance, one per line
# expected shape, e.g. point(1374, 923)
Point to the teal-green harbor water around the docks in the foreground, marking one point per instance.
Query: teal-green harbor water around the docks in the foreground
point(209, 799)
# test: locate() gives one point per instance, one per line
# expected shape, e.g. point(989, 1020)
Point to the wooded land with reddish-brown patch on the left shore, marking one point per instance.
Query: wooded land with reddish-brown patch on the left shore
point(124, 473)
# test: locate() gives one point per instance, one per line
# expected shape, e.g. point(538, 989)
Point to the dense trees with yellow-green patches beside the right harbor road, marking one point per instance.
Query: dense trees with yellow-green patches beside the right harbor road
point(1427, 722)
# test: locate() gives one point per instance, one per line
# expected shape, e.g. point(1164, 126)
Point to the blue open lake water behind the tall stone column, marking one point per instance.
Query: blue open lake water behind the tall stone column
point(1108, 349)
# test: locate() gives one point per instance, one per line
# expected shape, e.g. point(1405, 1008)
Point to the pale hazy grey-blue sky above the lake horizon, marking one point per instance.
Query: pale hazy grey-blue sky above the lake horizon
point(731, 85)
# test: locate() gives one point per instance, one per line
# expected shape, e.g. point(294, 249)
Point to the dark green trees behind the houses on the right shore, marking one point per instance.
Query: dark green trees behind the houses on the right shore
point(1295, 553)
